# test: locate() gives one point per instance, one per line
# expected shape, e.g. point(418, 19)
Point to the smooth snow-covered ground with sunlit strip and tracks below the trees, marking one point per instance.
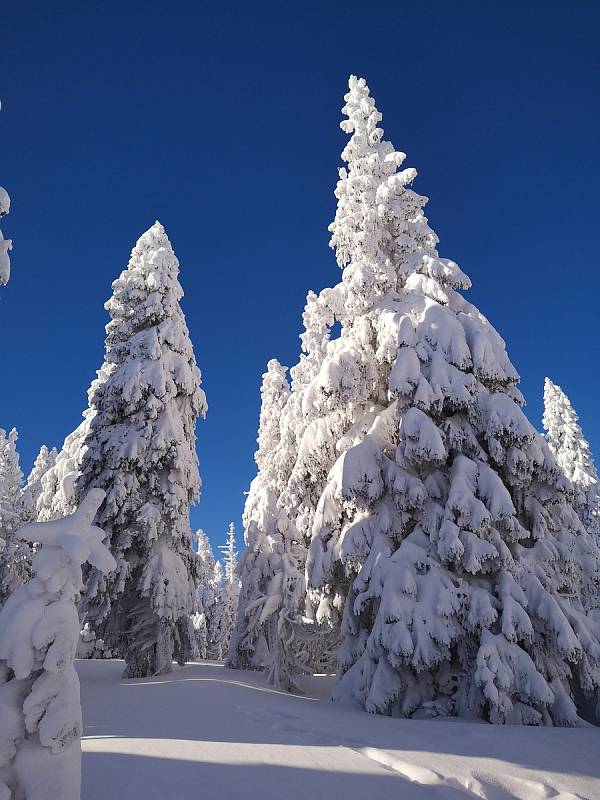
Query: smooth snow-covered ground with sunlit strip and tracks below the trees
point(208, 732)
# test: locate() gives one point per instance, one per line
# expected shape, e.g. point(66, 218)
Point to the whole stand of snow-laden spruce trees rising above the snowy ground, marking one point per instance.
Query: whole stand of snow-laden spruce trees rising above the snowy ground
point(406, 523)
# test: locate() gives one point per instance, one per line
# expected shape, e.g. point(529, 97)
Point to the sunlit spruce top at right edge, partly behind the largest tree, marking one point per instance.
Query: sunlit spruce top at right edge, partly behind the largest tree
point(572, 453)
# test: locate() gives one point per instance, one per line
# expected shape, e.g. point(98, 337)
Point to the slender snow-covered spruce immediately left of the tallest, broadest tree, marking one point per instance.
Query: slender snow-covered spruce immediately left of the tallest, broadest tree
point(271, 633)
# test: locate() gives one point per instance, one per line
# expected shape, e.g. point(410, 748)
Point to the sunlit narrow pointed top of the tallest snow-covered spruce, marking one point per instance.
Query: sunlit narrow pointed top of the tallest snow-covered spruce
point(380, 234)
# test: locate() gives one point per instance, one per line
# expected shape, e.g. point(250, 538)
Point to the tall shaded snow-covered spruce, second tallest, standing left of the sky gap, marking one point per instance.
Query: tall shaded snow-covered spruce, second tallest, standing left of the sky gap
point(140, 448)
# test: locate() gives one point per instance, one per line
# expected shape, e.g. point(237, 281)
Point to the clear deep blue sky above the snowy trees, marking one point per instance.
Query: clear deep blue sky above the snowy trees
point(221, 120)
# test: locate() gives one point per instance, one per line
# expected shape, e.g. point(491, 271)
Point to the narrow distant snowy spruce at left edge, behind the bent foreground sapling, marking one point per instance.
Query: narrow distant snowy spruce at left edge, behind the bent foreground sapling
point(15, 555)
